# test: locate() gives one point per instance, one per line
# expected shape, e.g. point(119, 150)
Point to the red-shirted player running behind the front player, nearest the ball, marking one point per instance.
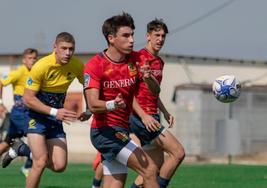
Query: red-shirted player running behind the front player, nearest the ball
point(145, 120)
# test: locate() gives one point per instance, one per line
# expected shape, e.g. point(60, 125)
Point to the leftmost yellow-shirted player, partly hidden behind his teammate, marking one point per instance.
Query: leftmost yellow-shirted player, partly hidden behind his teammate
point(19, 113)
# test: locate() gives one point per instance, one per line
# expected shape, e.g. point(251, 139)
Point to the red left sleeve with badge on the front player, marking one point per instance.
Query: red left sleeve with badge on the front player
point(92, 74)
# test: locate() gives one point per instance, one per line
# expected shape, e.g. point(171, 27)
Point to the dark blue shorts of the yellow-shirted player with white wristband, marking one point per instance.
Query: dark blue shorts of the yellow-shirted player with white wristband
point(49, 128)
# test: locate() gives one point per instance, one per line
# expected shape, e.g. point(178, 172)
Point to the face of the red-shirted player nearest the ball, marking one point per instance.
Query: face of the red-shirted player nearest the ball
point(156, 39)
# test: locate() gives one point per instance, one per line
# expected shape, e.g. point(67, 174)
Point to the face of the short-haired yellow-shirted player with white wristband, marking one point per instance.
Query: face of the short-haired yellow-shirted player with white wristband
point(64, 52)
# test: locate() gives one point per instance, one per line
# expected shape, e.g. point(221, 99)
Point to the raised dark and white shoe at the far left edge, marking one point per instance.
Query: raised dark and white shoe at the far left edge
point(12, 153)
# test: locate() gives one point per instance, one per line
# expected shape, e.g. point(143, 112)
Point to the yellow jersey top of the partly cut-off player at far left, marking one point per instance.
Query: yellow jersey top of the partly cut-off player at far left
point(17, 78)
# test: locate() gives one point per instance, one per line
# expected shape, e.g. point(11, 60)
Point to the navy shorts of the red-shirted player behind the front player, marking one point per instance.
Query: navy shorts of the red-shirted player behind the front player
point(139, 129)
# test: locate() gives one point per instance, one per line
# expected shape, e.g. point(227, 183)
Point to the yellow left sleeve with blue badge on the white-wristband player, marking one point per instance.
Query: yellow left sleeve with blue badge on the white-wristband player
point(34, 80)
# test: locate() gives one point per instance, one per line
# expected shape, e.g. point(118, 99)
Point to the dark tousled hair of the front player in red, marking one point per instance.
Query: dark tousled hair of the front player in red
point(112, 24)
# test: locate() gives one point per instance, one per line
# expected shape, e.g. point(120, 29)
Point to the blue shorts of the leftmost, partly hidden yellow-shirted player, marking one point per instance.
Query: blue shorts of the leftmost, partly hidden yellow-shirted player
point(19, 118)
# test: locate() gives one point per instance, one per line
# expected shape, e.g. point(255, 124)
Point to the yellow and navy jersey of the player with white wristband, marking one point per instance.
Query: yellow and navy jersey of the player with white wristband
point(51, 80)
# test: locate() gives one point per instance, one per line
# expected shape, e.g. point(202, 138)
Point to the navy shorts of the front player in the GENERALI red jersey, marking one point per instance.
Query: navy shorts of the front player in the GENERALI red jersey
point(109, 140)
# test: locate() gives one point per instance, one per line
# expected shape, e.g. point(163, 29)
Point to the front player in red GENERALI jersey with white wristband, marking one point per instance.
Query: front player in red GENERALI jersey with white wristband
point(111, 78)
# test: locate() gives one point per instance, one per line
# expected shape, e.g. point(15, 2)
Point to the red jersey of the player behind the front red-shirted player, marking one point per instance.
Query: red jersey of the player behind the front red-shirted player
point(146, 100)
